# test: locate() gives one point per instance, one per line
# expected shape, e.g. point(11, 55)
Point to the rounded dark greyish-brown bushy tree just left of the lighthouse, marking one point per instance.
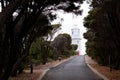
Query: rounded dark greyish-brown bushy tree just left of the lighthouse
point(61, 44)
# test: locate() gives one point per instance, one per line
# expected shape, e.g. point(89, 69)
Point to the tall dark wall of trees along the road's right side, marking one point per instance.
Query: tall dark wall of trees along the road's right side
point(103, 31)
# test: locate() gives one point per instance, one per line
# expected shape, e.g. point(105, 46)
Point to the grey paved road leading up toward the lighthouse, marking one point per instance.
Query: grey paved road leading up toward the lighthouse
point(74, 69)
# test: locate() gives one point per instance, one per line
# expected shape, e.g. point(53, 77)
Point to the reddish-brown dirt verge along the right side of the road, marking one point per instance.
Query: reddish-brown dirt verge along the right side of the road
point(114, 75)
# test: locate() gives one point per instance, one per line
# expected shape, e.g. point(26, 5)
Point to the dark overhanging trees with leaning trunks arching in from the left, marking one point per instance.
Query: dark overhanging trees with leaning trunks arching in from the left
point(21, 22)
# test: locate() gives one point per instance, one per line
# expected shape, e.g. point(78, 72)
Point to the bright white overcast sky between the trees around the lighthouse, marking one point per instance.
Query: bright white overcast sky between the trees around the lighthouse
point(69, 21)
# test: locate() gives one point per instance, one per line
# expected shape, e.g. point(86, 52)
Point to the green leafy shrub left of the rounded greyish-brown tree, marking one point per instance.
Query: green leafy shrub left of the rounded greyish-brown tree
point(40, 51)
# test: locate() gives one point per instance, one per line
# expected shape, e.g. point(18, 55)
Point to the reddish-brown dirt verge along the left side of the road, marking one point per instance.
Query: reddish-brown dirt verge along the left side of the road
point(37, 71)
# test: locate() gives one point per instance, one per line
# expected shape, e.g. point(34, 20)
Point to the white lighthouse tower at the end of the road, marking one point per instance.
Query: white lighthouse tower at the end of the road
point(76, 38)
